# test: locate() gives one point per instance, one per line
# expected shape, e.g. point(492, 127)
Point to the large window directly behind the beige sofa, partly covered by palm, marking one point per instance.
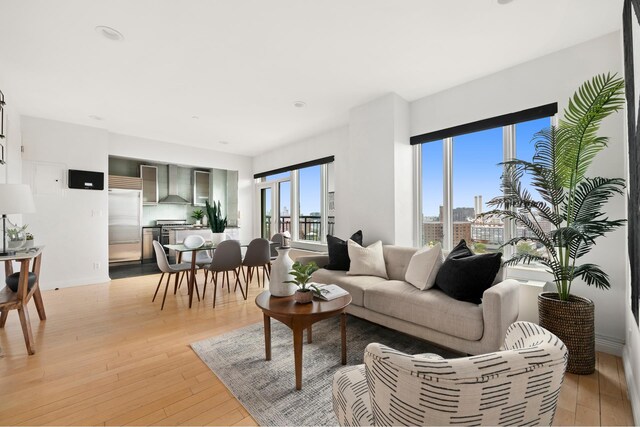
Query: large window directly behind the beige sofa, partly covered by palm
point(459, 174)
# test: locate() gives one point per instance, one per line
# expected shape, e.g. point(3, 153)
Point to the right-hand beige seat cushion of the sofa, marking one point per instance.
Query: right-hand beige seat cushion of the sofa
point(431, 308)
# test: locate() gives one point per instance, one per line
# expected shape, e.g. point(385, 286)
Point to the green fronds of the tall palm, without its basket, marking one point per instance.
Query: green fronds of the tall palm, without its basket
point(572, 202)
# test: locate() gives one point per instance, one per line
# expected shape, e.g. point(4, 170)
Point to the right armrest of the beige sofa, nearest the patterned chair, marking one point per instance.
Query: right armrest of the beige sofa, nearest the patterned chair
point(500, 308)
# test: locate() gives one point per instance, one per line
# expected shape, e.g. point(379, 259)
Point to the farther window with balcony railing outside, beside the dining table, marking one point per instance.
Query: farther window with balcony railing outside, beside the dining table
point(299, 201)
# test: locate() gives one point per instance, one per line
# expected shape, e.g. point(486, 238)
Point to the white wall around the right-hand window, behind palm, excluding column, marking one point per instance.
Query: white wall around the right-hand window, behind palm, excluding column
point(553, 78)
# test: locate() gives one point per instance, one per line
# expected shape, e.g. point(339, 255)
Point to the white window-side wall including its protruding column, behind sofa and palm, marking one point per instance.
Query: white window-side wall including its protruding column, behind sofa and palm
point(374, 187)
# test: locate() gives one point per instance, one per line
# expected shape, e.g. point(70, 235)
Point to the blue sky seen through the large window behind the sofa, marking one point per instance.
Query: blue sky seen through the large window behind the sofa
point(475, 170)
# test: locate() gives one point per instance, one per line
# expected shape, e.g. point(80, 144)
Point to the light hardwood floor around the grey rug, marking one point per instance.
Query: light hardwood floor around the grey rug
point(106, 355)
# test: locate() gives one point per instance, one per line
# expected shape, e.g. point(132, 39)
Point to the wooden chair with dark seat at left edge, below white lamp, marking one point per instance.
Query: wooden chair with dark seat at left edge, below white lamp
point(18, 300)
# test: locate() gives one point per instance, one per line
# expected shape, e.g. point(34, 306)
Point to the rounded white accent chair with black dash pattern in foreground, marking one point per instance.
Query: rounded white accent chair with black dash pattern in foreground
point(517, 386)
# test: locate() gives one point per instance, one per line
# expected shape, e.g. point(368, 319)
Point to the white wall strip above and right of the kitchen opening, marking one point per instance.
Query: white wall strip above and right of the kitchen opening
point(163, 152)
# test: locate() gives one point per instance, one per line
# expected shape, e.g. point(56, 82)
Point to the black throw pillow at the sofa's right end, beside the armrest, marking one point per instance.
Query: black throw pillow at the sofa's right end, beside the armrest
point(465, 276)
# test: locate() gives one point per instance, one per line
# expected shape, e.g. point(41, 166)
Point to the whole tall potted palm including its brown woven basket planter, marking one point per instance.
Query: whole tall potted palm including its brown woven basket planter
point(573, 203)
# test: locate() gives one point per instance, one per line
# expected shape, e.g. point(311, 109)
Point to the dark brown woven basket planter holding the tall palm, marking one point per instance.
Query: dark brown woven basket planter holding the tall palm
point(573, 322)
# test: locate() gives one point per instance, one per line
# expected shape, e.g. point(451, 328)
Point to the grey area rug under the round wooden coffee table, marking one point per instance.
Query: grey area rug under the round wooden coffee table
point(267, 389)
